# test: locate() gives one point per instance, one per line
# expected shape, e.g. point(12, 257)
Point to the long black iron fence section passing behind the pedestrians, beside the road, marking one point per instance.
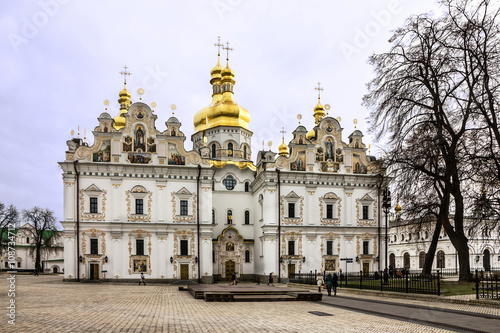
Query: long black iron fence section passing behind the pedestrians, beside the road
point(405, 282)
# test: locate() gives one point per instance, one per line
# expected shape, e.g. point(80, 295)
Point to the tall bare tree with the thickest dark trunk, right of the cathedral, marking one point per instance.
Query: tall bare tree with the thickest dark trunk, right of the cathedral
point(429, 78)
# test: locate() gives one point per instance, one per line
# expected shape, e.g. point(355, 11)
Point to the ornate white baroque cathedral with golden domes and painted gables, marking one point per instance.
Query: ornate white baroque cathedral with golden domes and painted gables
point(138, 200)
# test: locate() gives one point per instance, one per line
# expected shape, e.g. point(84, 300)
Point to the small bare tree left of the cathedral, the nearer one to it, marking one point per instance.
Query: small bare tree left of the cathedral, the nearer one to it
point(42, 229)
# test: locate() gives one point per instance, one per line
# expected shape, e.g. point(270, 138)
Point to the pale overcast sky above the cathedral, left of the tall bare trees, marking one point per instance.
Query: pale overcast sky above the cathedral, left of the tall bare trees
point(60, 59)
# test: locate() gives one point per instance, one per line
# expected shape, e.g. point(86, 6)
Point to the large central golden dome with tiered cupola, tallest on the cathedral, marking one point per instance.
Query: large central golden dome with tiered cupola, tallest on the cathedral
point(223, 111)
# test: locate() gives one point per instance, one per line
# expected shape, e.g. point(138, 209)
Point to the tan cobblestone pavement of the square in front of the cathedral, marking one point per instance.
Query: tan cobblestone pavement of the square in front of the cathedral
point(46, 304)
